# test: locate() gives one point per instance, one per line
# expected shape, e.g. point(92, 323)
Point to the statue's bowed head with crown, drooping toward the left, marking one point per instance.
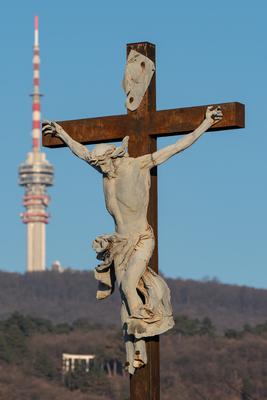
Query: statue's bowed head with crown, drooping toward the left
point(103, 154)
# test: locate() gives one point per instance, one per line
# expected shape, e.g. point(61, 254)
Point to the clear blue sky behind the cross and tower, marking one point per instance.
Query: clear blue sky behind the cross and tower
point(212, 197)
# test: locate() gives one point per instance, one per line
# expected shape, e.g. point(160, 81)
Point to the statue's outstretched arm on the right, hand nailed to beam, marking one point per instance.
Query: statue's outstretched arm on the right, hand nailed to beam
point(213, 115)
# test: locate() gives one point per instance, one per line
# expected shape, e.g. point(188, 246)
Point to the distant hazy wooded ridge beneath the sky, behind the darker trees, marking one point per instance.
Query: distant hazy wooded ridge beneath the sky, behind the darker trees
point(68, 296)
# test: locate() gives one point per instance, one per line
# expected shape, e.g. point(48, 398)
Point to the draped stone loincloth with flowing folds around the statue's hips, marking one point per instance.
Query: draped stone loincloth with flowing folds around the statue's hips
point(115, 251)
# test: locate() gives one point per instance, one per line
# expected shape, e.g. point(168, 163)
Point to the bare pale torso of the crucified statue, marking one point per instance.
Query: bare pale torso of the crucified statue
point(127, 196)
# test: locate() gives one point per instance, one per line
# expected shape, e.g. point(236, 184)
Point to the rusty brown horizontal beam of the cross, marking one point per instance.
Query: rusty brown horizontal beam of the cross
point(162, 123)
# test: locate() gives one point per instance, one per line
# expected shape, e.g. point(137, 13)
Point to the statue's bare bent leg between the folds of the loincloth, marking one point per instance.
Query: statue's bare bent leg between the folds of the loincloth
point(134, 271)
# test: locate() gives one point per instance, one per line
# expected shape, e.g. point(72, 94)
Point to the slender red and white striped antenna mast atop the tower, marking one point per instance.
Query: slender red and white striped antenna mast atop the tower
point(36, 108)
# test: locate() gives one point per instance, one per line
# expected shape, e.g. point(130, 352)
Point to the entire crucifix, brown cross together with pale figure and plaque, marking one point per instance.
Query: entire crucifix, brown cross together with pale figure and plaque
point(131, 247)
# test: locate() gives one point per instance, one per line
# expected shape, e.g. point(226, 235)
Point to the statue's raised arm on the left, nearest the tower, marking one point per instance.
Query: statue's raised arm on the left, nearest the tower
point(54, 129)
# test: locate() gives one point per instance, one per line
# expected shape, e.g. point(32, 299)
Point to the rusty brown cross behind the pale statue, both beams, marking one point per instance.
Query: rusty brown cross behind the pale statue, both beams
point(144, 126)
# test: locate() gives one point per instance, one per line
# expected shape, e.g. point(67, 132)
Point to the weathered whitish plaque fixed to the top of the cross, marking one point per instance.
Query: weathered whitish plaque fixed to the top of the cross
point(138, 74)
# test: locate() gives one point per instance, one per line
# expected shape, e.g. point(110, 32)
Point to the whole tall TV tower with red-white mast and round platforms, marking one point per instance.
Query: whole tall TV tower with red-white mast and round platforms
point(36, 174)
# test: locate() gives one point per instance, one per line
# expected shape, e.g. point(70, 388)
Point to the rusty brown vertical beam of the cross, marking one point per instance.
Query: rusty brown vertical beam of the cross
point(145, 383)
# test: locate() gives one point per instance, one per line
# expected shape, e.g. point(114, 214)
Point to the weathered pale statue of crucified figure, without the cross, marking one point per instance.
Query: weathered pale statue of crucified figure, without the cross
point(125, 254)
